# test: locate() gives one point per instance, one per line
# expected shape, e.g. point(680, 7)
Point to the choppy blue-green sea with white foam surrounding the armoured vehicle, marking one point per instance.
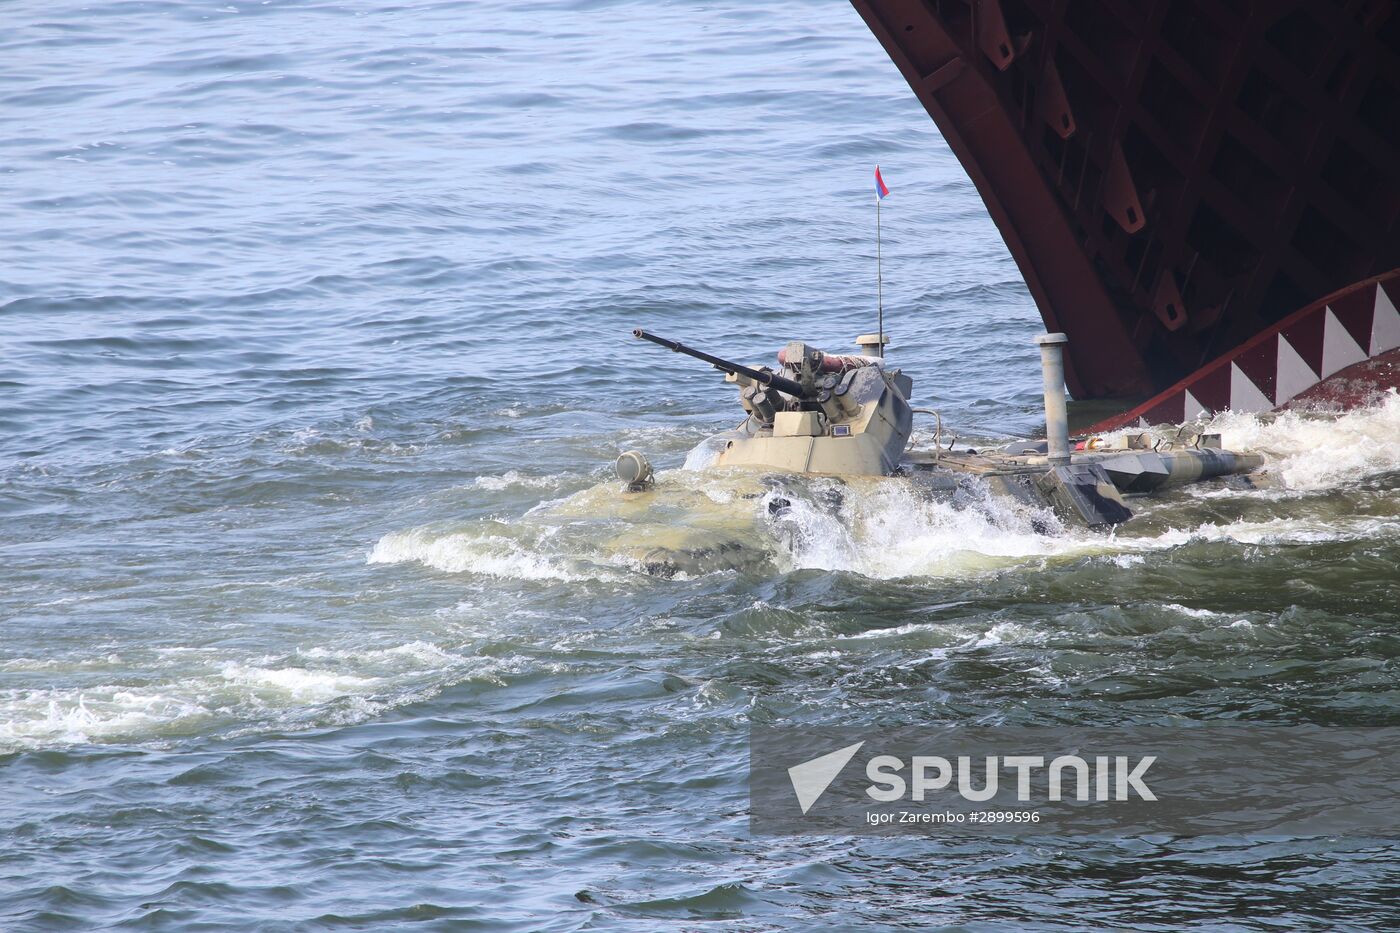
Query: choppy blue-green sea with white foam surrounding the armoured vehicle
point(318, 604)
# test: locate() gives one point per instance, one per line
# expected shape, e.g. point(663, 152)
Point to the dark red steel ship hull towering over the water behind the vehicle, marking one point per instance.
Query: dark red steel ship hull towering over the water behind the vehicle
point(1179, 181)
